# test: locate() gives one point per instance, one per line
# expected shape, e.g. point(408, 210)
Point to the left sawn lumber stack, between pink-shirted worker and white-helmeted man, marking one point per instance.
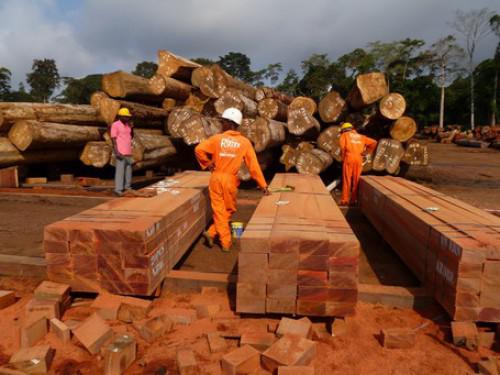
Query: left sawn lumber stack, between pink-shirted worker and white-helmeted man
point(127, 245)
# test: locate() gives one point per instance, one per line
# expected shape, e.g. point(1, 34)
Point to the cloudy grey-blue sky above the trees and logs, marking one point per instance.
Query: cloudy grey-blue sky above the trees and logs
point(96, 36)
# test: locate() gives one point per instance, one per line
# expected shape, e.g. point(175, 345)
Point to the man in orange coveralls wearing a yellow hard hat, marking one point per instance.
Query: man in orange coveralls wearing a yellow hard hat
point(353, 146)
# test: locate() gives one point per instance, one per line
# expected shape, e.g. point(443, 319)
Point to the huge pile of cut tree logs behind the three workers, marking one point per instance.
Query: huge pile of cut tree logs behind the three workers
point(182, 104)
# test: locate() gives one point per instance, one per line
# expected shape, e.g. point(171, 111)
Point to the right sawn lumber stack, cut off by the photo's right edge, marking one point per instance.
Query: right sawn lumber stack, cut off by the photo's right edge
point(452, 247)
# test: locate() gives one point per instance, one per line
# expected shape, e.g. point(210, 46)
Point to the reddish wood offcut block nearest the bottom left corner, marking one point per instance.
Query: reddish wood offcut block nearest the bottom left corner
point(34, 360)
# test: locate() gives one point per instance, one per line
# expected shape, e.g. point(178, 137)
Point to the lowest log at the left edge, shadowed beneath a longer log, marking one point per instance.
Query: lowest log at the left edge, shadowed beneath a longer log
point(10, 155)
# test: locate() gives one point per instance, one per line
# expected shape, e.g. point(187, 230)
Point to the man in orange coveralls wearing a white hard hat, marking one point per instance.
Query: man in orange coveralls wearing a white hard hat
point(223, 154)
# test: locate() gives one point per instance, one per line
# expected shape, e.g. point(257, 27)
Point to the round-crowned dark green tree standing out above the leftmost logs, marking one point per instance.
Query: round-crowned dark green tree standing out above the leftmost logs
point(43, 79)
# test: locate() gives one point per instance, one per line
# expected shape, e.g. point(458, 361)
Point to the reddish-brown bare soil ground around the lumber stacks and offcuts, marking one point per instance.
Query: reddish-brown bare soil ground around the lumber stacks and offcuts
point(472, 175)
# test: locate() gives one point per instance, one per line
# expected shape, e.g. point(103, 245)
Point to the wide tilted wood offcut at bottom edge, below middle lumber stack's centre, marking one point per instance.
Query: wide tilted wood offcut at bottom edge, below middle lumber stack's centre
point(290, 350)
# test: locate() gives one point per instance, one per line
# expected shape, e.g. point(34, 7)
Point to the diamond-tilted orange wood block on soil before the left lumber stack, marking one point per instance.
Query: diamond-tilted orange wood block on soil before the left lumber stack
point(93, 333)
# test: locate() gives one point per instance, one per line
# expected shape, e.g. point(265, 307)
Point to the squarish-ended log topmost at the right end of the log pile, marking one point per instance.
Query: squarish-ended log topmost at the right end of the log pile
point(367, 89)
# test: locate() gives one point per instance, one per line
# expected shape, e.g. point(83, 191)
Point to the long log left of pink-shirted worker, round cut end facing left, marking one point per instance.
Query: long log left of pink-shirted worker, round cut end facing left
point(32, 134)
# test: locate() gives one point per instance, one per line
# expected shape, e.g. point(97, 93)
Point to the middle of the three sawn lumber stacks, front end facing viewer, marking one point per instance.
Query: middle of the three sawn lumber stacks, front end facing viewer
point(298, 253)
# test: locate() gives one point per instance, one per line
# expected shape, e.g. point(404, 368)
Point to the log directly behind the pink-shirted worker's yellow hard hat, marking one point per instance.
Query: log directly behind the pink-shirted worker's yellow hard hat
point(142, 115)
